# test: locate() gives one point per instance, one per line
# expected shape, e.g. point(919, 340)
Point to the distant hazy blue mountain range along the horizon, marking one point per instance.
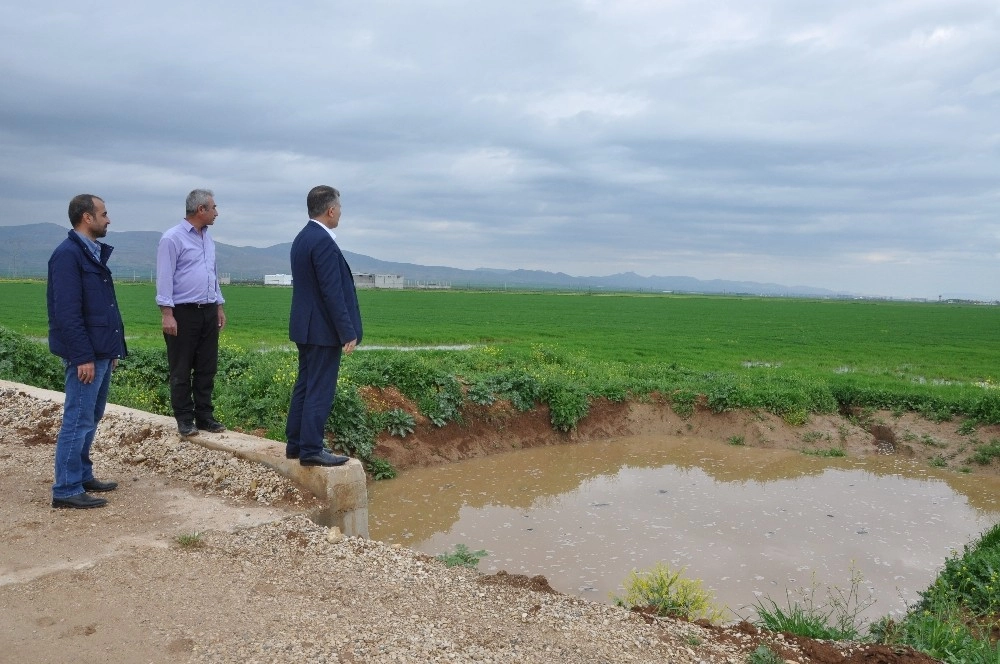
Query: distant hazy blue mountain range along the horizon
point(25, 251)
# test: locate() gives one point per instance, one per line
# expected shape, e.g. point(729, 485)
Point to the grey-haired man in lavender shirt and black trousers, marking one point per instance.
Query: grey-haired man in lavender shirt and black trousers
point(190, 301)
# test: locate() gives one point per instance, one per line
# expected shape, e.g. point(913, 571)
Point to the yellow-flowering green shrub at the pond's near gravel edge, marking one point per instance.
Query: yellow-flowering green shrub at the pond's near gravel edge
point(669, 594)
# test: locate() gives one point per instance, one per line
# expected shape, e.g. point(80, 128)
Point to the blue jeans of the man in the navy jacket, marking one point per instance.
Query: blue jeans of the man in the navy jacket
point(82, 410)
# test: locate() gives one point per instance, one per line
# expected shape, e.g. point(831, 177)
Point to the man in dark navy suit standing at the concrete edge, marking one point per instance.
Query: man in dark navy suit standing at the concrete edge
point(325, 322)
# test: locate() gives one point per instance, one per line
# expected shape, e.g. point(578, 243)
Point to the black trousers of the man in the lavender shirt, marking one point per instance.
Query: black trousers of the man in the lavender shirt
point(193, 359)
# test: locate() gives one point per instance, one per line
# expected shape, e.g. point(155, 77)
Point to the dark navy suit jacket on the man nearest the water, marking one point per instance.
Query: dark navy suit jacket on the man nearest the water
point(325, 308)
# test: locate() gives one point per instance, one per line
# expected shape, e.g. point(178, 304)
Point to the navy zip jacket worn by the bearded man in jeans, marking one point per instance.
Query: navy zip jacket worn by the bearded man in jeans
point(85, 323)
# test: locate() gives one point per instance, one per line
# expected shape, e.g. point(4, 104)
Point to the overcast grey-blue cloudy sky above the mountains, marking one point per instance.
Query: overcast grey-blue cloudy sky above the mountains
point(852, 145)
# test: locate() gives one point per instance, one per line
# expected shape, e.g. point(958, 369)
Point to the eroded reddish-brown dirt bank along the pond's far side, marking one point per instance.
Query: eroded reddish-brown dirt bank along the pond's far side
point(498, 428)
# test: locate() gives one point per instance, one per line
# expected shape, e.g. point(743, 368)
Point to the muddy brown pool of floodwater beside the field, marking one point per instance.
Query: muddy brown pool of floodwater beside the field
point(750, 523)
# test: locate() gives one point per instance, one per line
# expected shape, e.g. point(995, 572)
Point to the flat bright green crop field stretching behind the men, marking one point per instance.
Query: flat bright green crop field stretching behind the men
point(921, 341)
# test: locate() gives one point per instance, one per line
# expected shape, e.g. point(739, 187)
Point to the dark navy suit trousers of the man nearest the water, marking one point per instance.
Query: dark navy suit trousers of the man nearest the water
point(312, 398)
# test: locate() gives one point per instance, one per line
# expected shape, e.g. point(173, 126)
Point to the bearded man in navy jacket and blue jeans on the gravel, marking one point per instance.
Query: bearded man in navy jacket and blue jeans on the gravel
point(86, 331)
